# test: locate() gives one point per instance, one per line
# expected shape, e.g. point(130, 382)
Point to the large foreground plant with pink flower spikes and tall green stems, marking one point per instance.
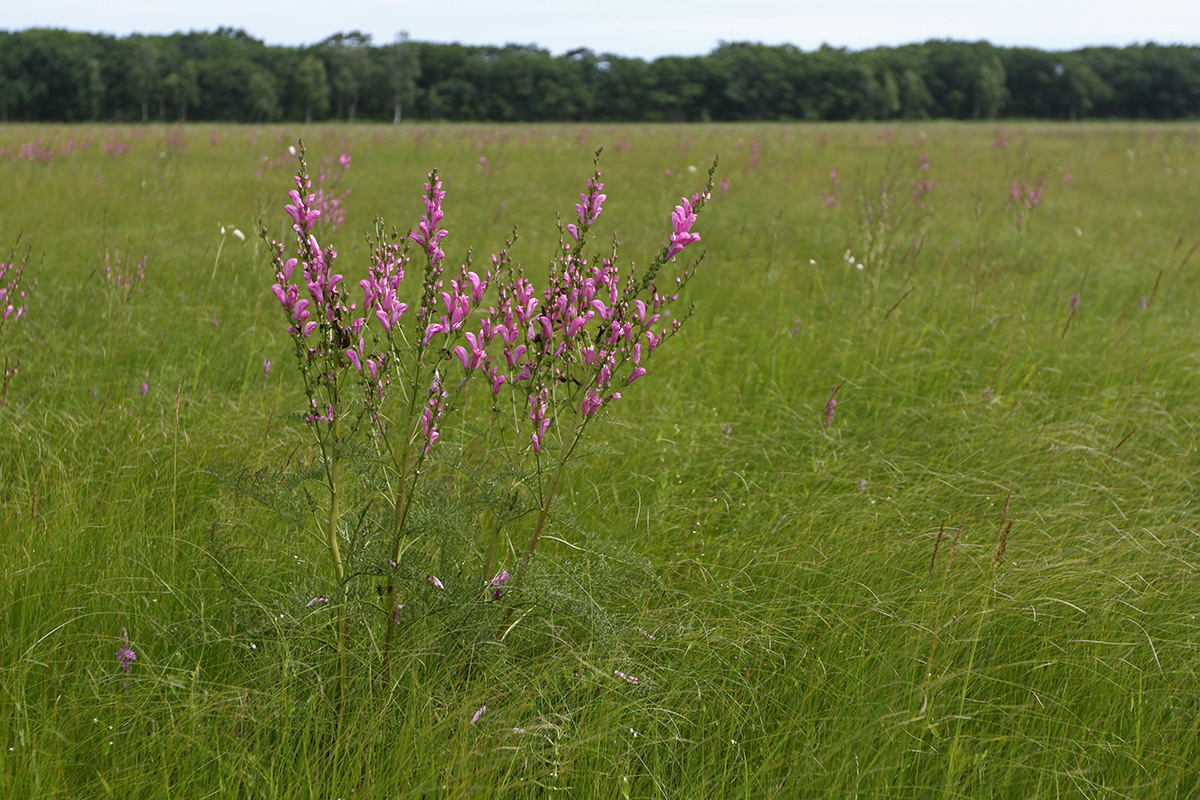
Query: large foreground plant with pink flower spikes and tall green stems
point(553, 360)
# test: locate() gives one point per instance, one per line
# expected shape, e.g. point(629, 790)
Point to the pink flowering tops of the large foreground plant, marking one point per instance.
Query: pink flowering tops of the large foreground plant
point(566, 350)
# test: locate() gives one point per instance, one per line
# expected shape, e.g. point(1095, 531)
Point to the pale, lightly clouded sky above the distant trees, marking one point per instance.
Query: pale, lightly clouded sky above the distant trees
point(644, 29)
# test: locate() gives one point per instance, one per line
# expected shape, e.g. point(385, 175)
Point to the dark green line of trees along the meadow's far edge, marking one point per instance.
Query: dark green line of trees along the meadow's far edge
point(50, 75)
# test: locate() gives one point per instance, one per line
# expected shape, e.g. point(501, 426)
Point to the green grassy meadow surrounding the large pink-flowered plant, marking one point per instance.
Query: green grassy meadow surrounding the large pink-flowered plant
point(905, 510)
